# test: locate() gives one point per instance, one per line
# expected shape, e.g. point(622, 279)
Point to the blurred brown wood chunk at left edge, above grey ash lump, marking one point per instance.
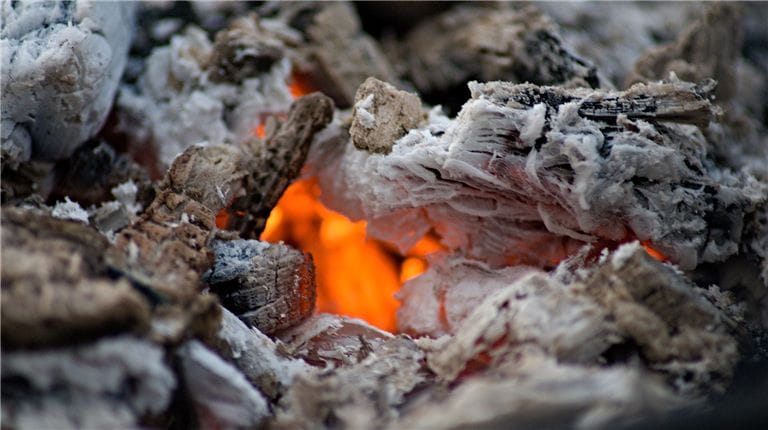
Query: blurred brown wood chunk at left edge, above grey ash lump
point(56, 284)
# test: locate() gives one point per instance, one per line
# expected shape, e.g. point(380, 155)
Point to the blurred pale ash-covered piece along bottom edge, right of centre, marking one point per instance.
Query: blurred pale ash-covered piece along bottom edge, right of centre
point(535, 391)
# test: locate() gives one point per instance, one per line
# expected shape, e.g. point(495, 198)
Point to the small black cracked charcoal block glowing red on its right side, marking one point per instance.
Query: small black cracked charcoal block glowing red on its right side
point(269, 286)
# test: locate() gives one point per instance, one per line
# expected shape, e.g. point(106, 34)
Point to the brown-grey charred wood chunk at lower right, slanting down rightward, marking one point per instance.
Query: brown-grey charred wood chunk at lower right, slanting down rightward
point(676, 326)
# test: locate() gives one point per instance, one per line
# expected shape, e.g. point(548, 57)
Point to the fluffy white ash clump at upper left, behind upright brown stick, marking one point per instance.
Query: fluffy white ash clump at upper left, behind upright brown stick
point(176, 104)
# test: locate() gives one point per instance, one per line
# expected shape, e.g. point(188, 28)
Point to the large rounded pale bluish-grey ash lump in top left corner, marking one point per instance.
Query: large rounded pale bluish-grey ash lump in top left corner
point(61, 65)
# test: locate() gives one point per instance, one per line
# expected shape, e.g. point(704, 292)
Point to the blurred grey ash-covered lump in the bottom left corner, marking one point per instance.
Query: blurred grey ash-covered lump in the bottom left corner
point(112, 383)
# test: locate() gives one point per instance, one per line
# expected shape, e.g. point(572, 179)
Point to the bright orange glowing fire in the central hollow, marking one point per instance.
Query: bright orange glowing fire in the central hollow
point(356, 276)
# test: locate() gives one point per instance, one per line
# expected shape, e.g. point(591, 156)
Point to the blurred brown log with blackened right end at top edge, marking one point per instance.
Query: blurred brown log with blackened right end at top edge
point(491, 43)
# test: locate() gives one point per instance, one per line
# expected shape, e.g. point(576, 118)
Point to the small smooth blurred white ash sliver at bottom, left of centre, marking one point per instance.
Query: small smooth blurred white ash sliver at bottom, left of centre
point(224, 398)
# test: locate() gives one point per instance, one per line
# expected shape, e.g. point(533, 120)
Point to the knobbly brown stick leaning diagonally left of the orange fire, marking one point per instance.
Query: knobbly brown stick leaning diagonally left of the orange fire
point(167, 247)
